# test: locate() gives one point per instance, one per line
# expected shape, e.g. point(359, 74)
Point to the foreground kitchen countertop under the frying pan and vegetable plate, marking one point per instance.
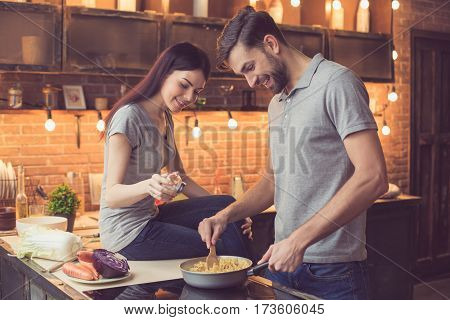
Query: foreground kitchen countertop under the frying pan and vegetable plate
point(145, 282)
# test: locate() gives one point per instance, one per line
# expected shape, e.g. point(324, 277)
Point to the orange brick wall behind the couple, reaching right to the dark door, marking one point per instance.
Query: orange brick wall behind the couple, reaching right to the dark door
point(48, 156)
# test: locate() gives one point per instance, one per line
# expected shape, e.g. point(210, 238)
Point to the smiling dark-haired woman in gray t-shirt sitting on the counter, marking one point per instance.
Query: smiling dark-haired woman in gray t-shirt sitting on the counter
point(139, 142)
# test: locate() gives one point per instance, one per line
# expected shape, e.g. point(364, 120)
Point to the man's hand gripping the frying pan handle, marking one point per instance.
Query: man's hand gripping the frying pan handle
point(284, 256)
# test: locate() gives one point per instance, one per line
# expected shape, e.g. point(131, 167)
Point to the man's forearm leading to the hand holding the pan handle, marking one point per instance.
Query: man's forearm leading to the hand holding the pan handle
point(354, 197)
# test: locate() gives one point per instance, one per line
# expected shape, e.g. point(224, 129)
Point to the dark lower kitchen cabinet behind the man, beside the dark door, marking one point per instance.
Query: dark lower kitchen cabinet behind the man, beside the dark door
point(391, 247)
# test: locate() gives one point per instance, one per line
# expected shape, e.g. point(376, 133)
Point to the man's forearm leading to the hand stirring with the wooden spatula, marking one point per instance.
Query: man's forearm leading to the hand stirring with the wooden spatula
point(254, 201)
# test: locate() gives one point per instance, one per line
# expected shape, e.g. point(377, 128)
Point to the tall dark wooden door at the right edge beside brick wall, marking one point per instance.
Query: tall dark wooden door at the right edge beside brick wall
point(430, 149)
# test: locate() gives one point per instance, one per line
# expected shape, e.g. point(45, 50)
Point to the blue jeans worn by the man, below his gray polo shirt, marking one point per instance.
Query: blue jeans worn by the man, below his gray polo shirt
point(331, 281)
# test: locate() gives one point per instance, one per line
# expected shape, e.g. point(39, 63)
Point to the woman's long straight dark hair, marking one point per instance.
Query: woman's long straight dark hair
point(179, 57)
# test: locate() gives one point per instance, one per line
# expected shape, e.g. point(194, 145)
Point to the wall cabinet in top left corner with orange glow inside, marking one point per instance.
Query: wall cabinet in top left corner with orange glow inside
point(30, 37)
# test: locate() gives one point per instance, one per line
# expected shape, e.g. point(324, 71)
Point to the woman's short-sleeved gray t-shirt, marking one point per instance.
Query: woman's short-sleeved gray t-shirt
point(150, 152)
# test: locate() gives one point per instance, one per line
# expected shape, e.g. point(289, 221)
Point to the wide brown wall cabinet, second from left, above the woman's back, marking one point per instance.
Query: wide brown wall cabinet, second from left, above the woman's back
point(109, 41)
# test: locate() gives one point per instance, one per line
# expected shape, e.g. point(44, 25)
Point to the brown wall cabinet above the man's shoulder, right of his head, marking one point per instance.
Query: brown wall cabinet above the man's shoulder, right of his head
point(368, 55)
